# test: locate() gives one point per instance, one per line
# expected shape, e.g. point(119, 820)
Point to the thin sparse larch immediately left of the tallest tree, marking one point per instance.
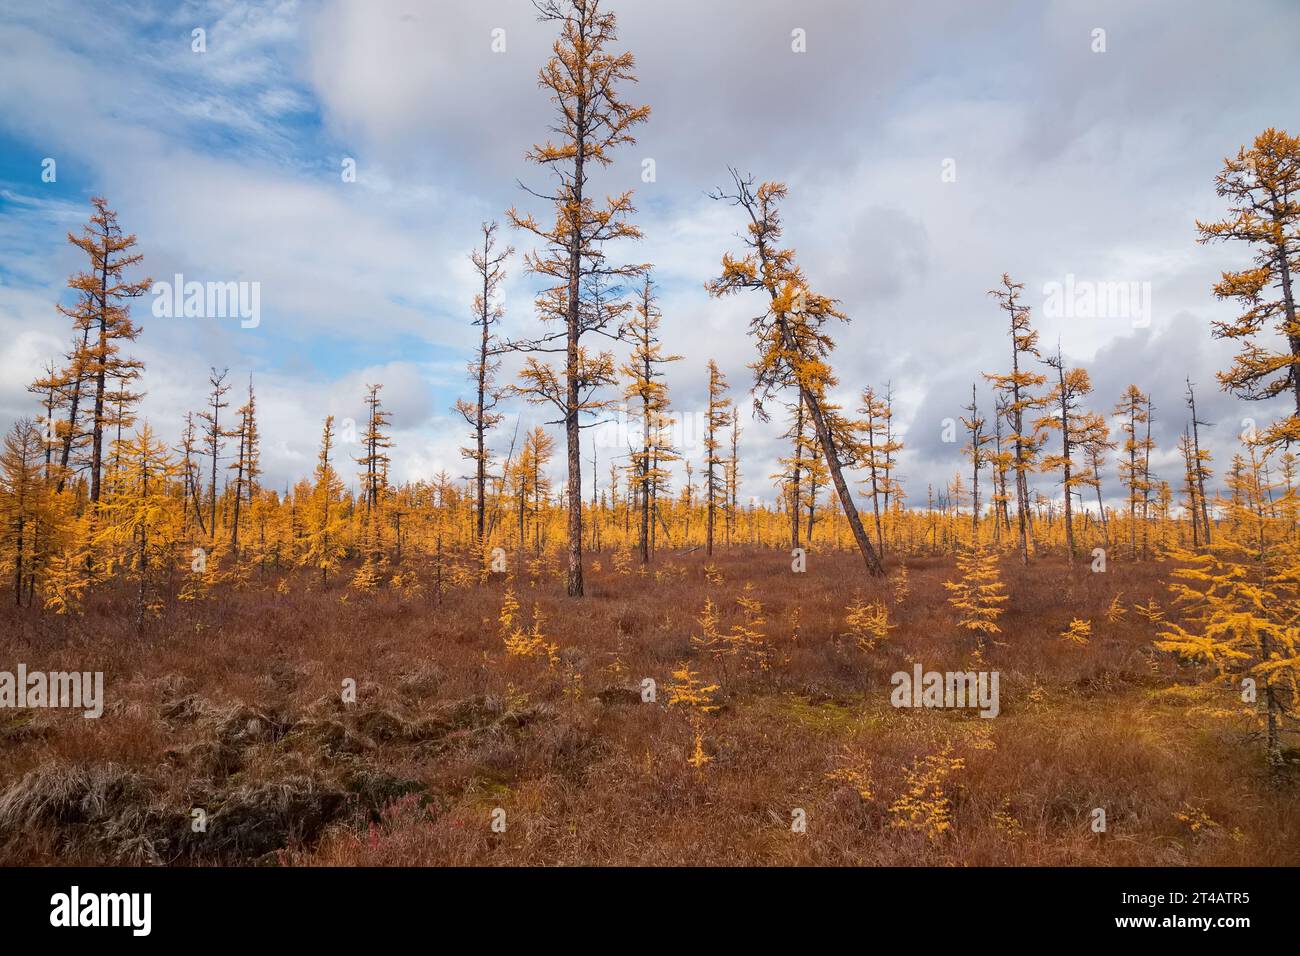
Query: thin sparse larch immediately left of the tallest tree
point(482, 414)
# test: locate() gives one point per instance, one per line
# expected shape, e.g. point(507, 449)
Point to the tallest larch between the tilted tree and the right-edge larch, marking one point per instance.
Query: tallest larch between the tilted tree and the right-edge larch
point(1016, 390)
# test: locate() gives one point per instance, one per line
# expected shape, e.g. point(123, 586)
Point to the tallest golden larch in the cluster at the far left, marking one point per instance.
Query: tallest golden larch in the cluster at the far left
point(103, 319)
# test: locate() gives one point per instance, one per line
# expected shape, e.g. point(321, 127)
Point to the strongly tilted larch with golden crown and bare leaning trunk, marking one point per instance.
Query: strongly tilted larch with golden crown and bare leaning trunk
point(792, 343)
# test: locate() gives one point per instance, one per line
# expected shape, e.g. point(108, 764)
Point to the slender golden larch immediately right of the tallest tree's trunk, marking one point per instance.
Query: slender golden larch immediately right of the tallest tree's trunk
point(648, 397)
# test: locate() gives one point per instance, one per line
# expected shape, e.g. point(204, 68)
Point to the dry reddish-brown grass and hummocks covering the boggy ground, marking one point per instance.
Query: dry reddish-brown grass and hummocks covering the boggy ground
point(236, 708)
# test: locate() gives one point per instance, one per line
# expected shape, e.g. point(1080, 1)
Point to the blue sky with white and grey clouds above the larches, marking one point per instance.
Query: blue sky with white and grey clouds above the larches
point(928, 148)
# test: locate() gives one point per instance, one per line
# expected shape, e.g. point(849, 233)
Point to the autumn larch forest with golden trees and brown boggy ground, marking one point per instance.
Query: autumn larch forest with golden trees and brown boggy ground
point(541, 657)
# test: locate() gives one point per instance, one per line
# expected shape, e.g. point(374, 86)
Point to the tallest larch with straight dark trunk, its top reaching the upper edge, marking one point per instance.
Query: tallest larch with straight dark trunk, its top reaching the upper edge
point(583, 77)
